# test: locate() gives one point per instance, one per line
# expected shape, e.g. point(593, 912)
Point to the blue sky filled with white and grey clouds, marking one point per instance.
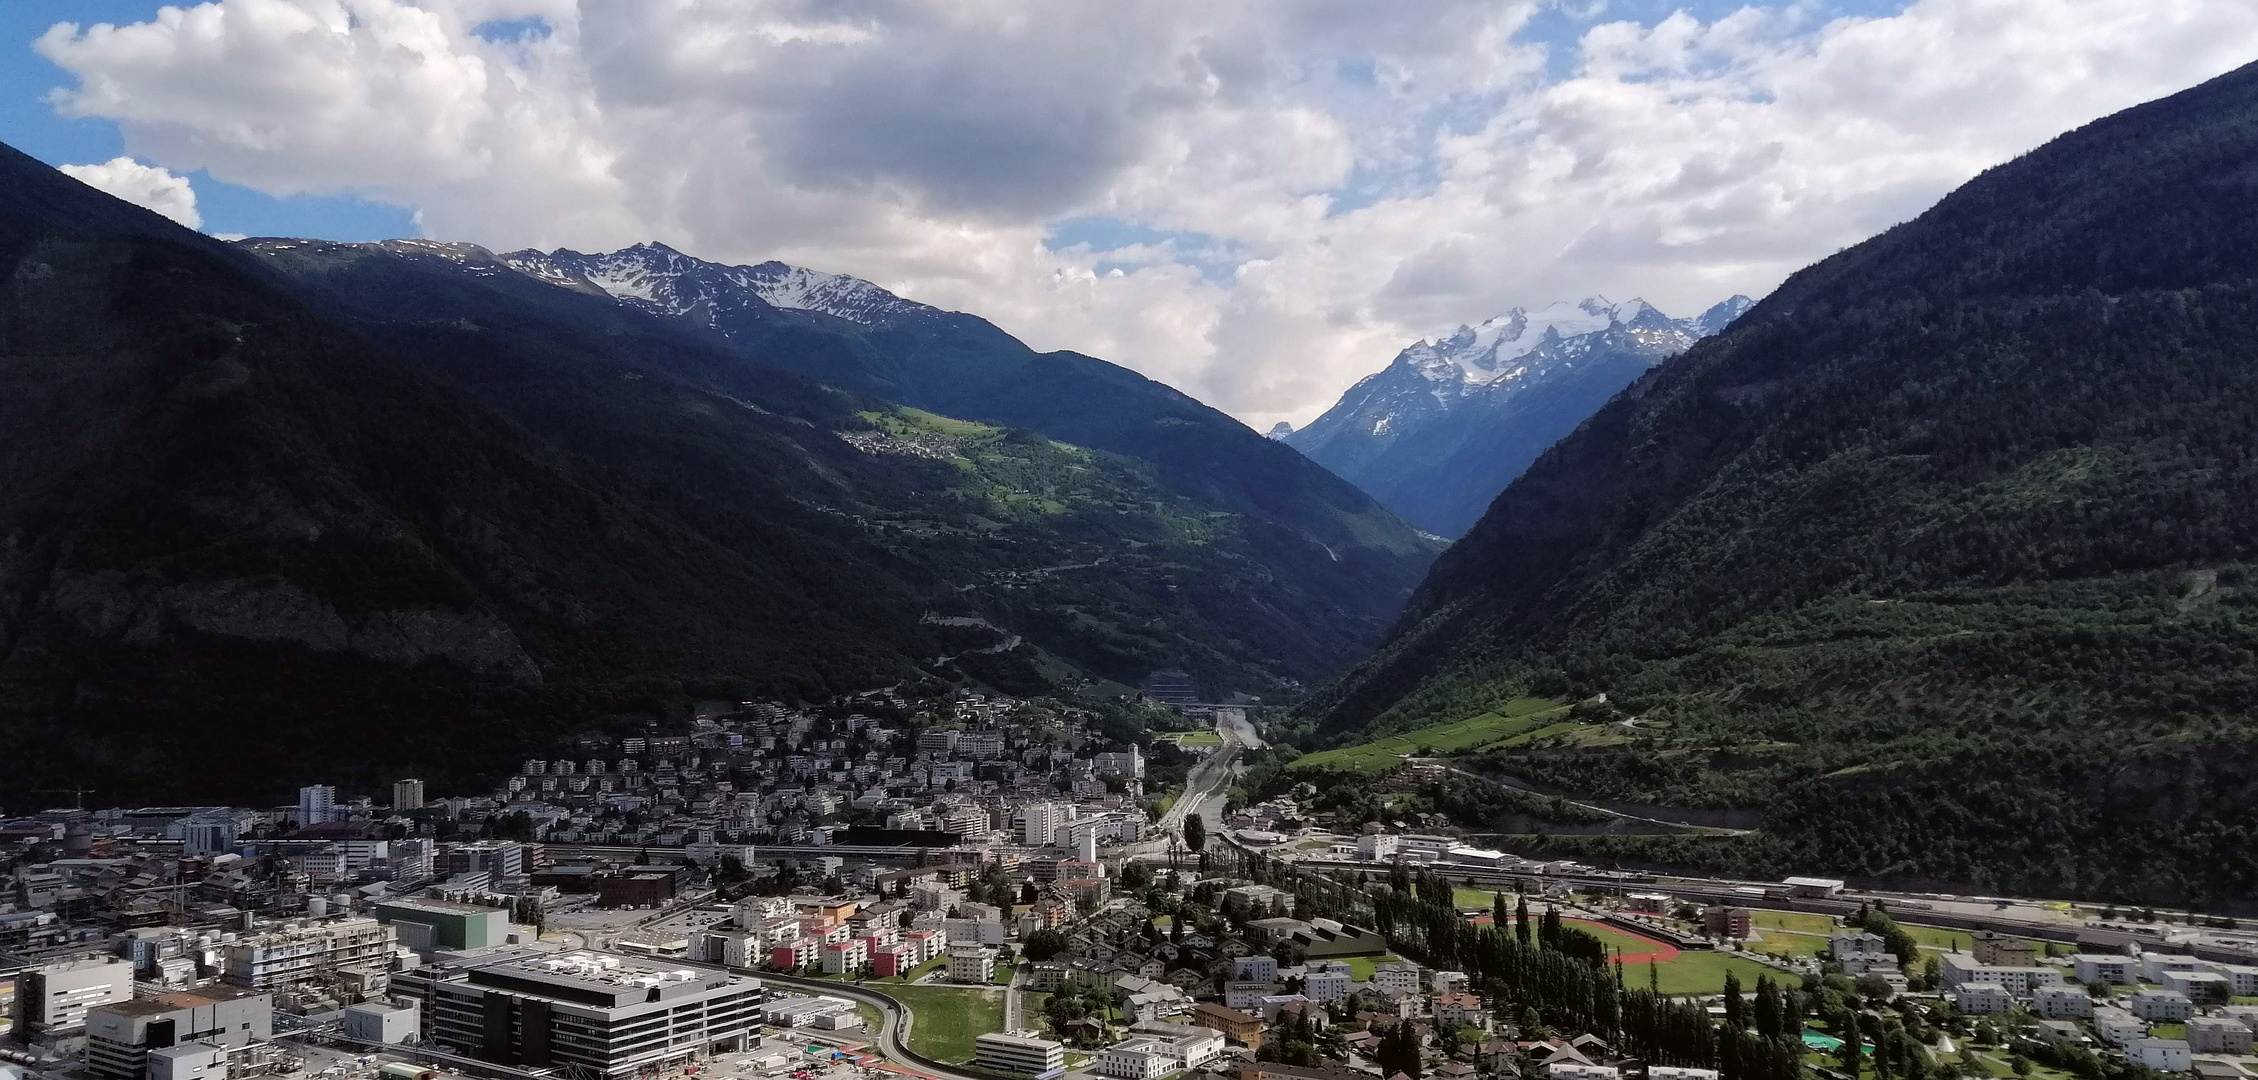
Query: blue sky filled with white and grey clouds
point(1257, 202)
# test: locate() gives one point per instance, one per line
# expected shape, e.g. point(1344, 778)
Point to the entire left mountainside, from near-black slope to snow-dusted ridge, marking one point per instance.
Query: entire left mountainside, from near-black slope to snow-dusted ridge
point(261, 496)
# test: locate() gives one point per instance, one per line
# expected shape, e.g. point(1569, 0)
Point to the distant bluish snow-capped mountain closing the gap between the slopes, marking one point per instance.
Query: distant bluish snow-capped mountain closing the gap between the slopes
point(1444, 428)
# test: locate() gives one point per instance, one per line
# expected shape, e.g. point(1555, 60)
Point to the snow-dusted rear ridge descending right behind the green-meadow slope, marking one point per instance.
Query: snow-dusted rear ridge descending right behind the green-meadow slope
point(1306, 523)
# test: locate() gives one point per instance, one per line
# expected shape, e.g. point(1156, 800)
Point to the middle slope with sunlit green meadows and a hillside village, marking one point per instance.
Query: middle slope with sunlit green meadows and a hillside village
point(1089, 555)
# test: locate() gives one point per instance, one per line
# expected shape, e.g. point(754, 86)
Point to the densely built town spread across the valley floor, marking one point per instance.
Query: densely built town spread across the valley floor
point(981, 887)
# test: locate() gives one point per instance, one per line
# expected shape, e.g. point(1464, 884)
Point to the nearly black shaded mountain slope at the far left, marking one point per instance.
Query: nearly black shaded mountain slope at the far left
point(236, 539)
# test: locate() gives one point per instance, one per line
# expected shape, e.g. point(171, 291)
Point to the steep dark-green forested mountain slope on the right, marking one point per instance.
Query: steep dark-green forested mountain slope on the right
point(1941, 555)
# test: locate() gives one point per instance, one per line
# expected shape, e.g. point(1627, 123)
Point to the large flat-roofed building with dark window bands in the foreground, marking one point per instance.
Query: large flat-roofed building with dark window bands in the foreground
point(599, 1013)
